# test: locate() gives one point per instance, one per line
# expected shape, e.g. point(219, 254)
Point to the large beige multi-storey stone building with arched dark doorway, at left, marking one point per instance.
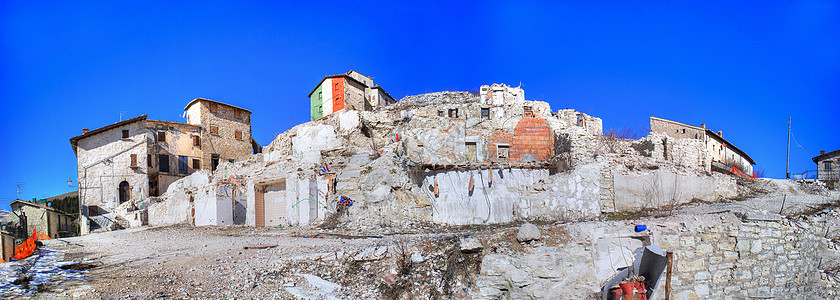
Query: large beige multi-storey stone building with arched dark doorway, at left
point(138, 158)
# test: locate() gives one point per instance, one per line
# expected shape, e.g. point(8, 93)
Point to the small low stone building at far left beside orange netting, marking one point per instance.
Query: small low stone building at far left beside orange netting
point(43, 219)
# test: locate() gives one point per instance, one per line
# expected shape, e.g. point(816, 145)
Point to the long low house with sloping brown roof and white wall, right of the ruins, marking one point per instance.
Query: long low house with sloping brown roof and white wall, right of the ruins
point(716, 153)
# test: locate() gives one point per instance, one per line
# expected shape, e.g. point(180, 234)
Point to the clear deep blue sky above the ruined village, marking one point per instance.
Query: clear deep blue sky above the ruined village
point(739, 68)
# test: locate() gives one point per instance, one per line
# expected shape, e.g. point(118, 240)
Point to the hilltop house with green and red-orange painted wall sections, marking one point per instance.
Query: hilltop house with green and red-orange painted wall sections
point(350, 91)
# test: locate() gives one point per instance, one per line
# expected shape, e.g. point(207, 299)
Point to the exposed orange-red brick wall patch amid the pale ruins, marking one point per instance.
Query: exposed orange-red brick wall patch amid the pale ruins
point(532, 136)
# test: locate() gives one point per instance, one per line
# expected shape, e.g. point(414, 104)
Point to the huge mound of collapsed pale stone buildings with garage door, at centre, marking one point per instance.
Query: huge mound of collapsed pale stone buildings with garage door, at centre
point(449, 158)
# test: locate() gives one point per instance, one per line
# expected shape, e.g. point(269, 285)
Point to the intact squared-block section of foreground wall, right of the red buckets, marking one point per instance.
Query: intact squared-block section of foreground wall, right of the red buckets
point(754, 259)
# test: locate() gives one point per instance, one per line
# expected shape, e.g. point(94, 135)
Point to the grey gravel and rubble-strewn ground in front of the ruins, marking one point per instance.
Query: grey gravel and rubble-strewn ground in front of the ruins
point(427, 262)
